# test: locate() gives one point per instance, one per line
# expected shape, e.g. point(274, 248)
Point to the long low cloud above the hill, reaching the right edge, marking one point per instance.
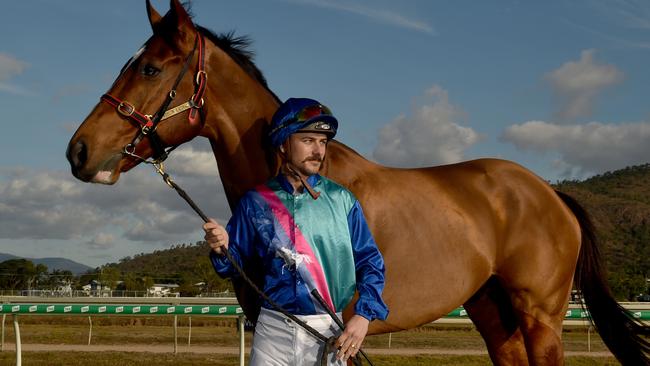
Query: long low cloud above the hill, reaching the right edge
point(585, 149)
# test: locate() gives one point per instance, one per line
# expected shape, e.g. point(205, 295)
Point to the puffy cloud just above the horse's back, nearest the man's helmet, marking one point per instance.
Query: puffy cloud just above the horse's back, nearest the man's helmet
point(430, 136)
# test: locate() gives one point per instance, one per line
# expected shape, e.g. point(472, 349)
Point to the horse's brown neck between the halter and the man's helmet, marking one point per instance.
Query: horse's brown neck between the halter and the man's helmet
point(238, 110)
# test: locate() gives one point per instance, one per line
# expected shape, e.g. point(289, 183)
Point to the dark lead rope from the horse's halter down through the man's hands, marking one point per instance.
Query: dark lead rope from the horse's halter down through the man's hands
point(328, 342)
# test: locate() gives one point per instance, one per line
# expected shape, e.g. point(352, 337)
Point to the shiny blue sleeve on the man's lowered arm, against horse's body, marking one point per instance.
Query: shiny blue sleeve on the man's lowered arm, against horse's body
point(369, 265)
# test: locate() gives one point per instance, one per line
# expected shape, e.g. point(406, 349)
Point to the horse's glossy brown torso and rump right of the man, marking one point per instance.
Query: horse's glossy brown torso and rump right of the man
point(452, 227)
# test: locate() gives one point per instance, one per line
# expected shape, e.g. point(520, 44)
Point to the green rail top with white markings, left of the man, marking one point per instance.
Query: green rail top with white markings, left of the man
point(112, 309)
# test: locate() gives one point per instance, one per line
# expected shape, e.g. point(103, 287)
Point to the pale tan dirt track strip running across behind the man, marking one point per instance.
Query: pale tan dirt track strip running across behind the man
point(235, 350)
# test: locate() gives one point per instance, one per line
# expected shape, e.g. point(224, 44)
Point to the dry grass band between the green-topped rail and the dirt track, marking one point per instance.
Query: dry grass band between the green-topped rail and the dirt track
point(220, 332)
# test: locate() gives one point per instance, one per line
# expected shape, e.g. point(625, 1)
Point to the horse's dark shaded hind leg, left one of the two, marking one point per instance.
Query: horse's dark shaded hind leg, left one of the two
point(492, 313)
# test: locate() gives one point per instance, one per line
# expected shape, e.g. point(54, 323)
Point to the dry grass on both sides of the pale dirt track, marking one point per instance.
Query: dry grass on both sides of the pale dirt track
point(218, 332)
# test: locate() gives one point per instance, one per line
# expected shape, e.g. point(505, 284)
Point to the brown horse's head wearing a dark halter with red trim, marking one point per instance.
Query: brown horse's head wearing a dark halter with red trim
point(122, 131)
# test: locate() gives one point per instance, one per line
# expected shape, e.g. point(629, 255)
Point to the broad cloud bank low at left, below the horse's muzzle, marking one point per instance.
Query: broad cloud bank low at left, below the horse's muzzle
point(53, 205)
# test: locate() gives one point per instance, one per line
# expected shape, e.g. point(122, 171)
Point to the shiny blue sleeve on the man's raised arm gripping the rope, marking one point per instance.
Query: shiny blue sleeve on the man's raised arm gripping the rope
point(241, 240)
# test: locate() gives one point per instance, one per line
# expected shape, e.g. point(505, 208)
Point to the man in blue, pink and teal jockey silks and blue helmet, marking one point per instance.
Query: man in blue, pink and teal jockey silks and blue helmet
point(309, 233)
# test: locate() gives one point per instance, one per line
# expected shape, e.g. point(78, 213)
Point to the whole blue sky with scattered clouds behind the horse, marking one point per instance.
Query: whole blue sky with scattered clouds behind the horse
point(560, 87)
